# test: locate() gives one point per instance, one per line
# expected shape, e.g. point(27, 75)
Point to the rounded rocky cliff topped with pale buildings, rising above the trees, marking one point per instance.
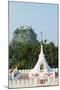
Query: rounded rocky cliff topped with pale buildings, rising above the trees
point(24, 34)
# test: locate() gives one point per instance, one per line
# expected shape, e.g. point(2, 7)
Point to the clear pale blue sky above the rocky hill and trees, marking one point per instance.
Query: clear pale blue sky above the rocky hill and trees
point(42, 17)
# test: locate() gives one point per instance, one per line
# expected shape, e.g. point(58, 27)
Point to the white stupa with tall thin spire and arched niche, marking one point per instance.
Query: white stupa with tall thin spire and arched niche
point(41, 65)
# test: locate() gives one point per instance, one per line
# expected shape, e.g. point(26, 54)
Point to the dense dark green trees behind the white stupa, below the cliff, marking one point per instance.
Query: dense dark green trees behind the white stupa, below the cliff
point(25, 55)
